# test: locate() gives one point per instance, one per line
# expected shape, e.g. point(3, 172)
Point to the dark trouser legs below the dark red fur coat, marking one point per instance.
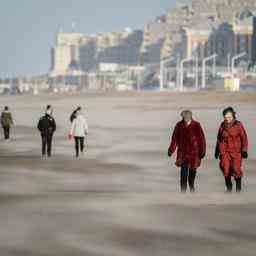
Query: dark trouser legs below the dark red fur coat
point(187, 176)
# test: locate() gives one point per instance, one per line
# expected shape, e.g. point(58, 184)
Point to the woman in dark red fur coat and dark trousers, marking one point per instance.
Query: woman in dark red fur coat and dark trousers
point(188, 137)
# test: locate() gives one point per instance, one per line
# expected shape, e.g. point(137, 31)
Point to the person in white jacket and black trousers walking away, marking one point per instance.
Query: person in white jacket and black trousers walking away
point(79, 129)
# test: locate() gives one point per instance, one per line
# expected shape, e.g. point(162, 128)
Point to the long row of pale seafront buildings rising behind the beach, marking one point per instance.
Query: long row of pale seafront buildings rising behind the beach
point(196, 29)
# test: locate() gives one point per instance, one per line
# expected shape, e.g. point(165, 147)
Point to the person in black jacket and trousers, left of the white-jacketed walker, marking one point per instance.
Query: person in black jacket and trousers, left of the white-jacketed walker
point(47, 127)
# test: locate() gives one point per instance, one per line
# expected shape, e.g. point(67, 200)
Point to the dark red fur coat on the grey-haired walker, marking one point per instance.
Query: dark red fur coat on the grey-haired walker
point(190, 141)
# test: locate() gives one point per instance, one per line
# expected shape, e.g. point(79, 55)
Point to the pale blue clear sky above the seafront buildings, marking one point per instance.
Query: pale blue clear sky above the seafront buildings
point(28, 27)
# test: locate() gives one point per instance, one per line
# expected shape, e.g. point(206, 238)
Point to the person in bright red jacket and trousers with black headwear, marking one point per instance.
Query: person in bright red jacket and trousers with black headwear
point(231, 147)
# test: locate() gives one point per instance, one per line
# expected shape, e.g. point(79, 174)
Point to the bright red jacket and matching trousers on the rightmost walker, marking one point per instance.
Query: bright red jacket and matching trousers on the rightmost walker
point(231, 141)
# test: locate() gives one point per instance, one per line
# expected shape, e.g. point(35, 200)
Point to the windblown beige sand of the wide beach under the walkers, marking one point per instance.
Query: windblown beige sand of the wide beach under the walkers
point(122, 197)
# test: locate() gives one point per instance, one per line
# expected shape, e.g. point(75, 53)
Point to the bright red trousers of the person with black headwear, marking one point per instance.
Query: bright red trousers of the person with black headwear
point(231, 164)
